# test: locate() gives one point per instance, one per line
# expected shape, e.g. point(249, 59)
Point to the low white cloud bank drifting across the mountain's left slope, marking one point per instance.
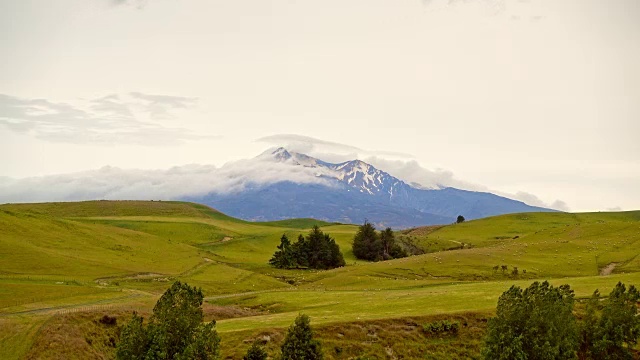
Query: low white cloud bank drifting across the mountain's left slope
point(112, 183)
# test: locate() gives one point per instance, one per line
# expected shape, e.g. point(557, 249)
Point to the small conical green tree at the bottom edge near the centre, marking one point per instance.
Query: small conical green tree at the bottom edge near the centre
point(299, 343)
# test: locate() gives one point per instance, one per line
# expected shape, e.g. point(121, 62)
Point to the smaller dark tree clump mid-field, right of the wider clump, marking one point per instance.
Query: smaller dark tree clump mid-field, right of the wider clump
point(370, 245)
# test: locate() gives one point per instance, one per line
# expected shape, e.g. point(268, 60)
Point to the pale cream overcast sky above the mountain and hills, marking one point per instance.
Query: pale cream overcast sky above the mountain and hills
point(532, 99)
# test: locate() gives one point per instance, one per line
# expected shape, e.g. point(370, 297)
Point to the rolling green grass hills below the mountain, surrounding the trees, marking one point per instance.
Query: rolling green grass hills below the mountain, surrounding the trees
point(59, 258)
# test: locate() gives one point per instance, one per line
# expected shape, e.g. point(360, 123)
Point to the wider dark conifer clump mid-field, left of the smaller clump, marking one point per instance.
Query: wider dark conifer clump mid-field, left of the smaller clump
point(317, 251)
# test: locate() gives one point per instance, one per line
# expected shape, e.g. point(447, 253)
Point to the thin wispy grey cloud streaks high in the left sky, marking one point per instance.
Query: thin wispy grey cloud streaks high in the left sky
point(111, 119)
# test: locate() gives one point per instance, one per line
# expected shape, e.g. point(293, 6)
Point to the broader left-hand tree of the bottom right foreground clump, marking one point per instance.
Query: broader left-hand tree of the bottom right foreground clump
point(536, 323)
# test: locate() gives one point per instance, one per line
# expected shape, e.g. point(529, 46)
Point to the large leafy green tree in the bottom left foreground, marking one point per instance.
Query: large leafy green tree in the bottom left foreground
point(175, 330)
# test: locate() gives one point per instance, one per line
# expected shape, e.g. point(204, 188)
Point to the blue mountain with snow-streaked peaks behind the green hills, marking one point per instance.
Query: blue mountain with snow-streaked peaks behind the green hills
point(351, 192)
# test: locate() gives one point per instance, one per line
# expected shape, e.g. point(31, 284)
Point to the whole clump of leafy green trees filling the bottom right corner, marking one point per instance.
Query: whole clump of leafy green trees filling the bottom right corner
point(539, 323)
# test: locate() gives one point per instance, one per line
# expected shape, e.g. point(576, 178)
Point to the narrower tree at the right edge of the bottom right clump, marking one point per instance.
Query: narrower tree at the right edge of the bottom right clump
point(611, 332)
